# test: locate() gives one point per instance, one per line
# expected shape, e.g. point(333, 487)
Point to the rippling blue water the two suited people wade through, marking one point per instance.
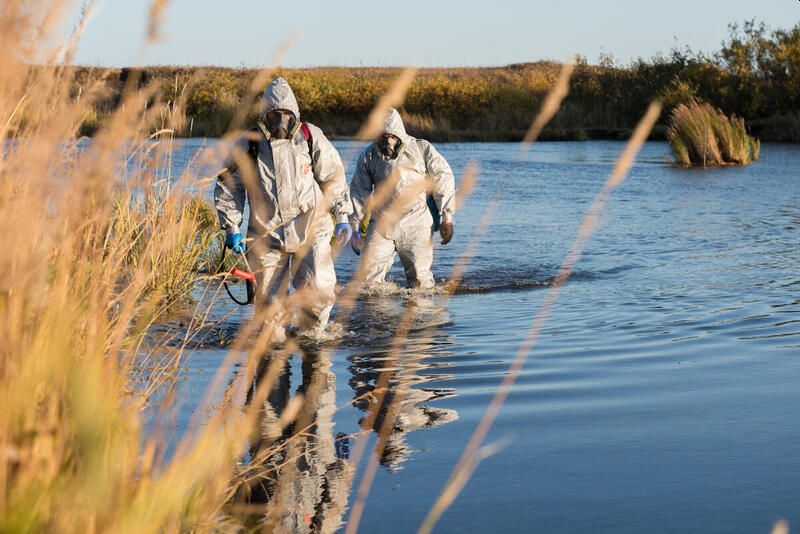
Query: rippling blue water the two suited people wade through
point(662, 394)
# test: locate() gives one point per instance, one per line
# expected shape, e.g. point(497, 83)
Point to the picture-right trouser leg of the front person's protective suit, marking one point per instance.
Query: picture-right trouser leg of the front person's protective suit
point(315, 282)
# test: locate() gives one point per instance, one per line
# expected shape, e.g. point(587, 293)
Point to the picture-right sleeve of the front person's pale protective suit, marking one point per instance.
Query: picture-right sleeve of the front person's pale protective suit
point(329, 173)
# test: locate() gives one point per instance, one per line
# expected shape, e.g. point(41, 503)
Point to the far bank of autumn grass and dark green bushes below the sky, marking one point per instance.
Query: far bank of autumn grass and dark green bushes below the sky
point(755, 75)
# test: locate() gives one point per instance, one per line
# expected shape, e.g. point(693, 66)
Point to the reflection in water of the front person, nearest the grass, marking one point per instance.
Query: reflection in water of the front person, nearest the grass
point(304, 482)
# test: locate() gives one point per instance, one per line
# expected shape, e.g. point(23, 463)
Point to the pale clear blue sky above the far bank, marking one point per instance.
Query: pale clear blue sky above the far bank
point(413, 32)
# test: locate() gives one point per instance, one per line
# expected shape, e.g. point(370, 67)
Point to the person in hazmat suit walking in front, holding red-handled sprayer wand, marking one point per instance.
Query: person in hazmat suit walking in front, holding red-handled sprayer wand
point(293, 179)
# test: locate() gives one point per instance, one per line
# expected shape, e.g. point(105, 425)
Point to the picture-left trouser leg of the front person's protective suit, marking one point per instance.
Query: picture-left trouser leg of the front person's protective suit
point(271, 270)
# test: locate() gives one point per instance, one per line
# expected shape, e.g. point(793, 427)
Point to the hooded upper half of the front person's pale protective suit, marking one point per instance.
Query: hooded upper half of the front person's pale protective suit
point(295, 185)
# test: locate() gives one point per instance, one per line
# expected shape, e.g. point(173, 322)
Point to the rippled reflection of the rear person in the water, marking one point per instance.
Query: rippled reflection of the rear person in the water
point(405, 402)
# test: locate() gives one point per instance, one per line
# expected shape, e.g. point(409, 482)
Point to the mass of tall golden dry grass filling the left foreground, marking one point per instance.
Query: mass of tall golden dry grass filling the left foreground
point(99, 243)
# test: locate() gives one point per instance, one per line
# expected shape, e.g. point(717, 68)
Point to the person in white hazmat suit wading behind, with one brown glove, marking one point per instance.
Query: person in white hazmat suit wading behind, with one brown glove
point(393, 178)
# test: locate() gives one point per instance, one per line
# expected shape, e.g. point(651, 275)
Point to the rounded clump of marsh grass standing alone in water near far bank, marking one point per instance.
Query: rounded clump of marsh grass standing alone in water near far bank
point(702, 135)
